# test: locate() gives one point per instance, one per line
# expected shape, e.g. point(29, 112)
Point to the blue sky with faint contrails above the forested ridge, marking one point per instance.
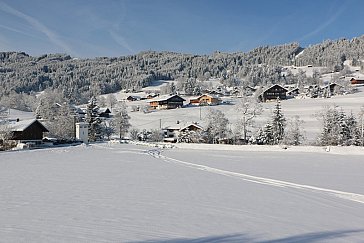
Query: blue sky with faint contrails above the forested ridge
point(89, 28)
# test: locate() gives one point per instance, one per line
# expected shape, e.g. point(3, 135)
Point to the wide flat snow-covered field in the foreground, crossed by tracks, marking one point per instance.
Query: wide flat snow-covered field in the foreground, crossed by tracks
point(129, 193)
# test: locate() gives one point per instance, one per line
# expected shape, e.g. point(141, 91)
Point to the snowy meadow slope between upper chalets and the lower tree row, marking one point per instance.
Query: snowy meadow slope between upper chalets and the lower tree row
point(307, 109)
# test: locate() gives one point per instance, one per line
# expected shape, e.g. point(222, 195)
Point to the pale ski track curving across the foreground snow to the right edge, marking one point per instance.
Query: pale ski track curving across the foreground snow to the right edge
point(260, 180)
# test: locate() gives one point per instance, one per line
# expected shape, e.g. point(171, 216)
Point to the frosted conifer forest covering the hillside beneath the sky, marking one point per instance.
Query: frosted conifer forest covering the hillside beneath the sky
point(79, 79)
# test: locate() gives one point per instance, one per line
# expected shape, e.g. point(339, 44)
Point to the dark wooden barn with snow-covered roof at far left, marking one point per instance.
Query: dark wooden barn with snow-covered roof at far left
point(28, 131)
